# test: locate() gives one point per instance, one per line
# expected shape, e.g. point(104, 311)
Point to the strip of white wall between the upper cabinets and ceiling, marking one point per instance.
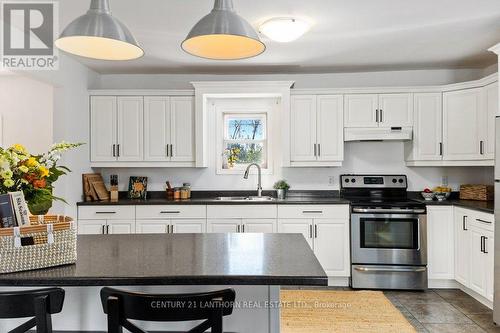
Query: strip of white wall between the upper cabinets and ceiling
point(331, 80)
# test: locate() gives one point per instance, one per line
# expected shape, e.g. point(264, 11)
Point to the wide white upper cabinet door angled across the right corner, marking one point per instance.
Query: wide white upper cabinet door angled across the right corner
point(461, 125)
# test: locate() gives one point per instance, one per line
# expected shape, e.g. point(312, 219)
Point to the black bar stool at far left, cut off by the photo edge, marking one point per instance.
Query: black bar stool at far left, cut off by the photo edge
point(40, 304)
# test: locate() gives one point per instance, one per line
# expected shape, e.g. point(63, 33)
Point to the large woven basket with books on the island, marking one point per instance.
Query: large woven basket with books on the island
point(49, 241)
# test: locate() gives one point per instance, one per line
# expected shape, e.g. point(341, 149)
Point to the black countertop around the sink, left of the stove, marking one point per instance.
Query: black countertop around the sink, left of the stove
point(209, 198)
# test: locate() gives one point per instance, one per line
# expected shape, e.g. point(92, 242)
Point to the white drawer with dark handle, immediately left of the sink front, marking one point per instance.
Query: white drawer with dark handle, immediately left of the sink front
point(171, 212)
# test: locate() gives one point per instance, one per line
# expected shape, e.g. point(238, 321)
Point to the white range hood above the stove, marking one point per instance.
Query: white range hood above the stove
point(378, 134)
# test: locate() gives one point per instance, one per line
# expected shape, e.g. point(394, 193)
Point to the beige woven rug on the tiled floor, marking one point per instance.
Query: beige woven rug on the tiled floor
point(317, 311)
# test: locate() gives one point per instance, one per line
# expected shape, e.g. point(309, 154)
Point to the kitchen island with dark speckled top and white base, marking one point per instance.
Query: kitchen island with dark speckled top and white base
point(255, 265)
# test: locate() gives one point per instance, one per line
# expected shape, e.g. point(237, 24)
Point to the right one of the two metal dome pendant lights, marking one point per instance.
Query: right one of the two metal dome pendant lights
point(223, 35)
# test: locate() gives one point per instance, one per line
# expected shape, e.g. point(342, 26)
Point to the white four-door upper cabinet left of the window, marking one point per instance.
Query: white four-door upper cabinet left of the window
point(142, 131)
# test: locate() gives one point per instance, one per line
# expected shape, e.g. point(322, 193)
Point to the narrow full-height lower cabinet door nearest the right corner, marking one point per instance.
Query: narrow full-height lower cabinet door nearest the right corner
point(462, 246)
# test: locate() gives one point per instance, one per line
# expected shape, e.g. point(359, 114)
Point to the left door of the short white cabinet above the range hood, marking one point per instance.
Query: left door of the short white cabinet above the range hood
point(360, 110)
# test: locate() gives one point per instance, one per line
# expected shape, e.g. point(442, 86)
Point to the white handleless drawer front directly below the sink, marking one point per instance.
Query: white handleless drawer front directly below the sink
point(242, 211)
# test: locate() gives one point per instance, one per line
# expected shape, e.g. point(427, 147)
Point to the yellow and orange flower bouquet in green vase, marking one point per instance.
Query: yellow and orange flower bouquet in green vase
point(34, 175)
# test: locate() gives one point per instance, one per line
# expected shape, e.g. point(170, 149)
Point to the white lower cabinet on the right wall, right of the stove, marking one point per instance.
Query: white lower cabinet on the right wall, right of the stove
point(474, 247)
